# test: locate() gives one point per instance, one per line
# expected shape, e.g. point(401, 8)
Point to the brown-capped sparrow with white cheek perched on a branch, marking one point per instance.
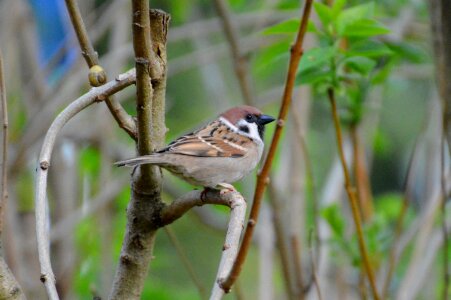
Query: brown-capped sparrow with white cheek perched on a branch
point(216, 155)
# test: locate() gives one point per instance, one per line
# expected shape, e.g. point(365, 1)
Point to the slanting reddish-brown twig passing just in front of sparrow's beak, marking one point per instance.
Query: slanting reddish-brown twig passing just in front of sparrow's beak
point(262, 179)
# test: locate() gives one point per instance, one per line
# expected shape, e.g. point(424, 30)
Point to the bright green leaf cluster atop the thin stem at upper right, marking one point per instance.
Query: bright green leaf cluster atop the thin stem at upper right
point(349, 56)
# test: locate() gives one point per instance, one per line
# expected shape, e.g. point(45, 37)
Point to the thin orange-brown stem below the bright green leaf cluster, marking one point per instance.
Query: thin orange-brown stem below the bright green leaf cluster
point(352, 197)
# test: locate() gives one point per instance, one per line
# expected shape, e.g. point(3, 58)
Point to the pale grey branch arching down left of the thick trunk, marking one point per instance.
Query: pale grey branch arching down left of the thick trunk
point(42, 234)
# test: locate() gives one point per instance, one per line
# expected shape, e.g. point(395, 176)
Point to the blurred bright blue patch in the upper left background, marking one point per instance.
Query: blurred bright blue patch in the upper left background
point(54, 36)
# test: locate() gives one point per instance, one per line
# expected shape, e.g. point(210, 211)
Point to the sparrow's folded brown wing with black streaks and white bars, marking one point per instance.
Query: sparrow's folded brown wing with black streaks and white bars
point(214, 140)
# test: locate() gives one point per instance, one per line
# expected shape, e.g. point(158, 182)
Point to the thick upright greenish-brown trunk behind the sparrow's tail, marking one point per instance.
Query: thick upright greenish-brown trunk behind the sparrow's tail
point(143, 212)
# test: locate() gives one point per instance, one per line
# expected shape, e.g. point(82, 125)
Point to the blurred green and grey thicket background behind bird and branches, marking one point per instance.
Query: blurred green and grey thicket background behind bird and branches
point(392, 129)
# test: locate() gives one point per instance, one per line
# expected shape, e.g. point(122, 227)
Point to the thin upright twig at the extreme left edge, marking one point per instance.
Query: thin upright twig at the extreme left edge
point(4, 192)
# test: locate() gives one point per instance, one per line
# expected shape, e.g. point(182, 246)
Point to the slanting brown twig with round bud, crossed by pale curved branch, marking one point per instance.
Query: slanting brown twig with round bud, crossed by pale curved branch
point(97, 74)
